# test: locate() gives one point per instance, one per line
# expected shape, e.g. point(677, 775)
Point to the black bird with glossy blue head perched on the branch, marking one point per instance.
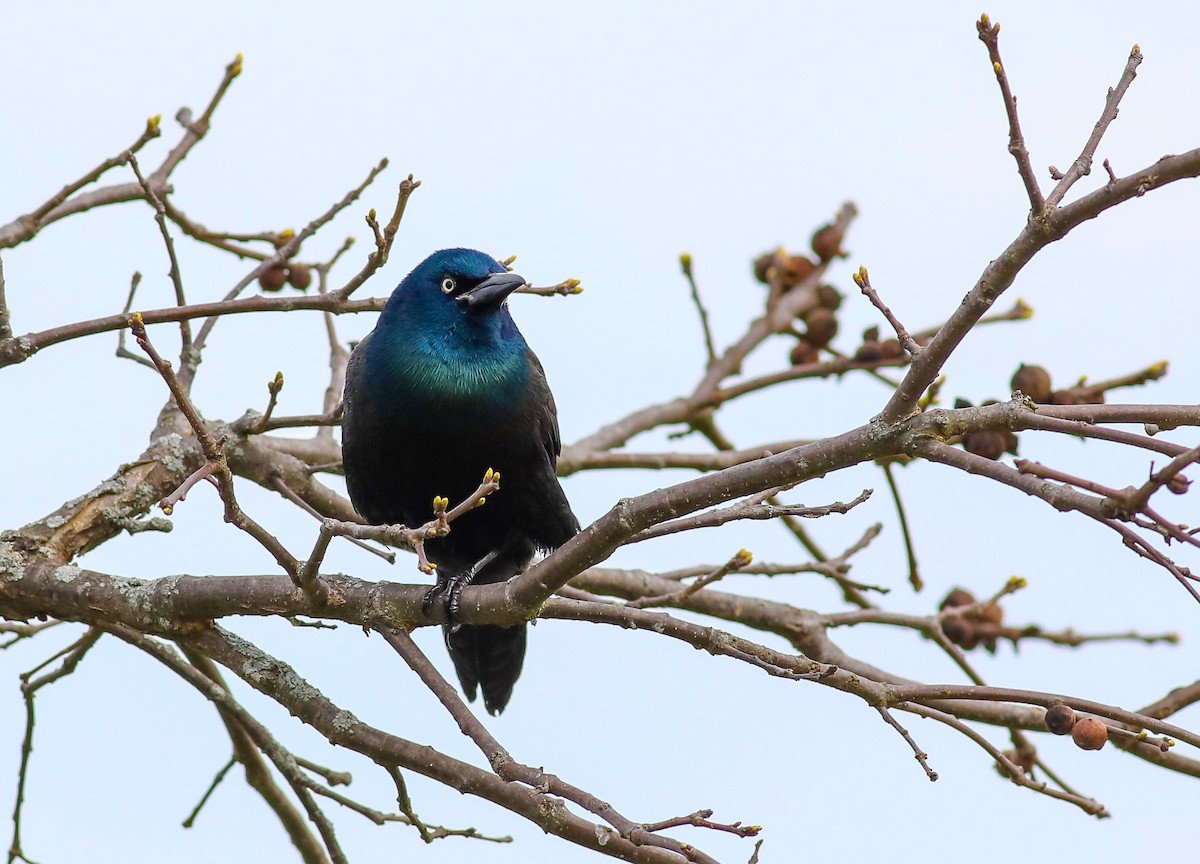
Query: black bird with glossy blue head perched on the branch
point(443, 389)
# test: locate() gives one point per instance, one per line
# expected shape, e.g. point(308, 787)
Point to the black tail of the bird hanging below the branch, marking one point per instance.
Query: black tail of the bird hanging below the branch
point(487, 657)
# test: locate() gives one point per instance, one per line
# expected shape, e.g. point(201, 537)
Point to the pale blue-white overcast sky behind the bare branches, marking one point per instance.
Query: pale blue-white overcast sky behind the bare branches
point(601, 143)
